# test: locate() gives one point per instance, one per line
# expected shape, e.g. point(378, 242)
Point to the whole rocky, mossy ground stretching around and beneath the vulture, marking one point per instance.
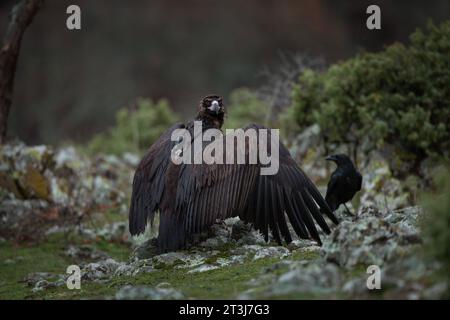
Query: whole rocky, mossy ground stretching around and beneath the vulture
point(60, 208)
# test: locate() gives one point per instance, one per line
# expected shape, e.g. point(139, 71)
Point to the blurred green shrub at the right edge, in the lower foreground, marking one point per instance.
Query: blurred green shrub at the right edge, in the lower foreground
point(436, 224)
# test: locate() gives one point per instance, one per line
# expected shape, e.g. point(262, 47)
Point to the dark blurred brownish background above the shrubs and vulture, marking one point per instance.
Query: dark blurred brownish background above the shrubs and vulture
point(69, 84)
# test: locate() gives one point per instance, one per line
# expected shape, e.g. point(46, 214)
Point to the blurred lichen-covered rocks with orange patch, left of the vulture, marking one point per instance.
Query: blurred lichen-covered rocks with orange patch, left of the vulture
point(66, 184)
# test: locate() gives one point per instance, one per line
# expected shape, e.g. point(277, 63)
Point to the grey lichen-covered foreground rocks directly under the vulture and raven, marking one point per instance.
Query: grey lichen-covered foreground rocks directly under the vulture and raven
point(301, 269)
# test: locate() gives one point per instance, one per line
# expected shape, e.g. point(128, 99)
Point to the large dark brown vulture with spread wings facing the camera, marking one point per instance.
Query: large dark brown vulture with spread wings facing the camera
point(191, 197)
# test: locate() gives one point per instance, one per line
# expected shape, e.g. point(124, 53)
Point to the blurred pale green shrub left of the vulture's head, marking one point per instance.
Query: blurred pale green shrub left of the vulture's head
point(135, 130)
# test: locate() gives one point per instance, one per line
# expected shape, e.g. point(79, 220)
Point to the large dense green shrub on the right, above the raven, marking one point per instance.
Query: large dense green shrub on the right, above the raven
point(400, 96)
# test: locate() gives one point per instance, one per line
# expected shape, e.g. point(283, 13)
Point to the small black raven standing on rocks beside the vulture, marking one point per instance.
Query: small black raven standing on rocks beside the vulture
point(344, 183)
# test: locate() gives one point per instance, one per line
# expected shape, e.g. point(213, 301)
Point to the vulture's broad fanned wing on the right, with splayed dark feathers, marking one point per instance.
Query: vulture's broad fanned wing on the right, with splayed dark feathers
point(217, 191)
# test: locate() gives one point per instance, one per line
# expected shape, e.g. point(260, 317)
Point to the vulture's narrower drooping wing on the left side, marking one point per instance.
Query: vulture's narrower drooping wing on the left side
point(149, 182)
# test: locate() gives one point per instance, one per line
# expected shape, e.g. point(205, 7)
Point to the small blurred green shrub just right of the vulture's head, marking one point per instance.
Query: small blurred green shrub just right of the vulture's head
point(243, 108)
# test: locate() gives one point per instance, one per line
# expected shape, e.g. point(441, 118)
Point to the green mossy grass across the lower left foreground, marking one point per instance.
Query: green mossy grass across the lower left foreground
point(48, 257)
